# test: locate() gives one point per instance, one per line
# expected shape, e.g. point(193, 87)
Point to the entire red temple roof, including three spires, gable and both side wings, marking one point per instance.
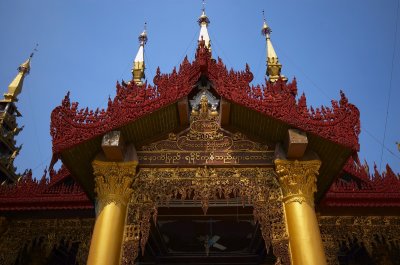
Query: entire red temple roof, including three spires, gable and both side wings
point(144, 110)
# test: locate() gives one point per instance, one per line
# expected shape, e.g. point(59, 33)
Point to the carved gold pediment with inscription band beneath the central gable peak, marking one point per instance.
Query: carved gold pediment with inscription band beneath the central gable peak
point(206, 143)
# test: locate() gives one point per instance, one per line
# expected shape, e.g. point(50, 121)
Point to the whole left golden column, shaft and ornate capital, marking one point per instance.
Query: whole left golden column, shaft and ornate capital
point(113, 182)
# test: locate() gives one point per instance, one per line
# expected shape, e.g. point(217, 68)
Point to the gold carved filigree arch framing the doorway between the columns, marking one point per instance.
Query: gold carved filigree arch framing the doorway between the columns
point(153, 187)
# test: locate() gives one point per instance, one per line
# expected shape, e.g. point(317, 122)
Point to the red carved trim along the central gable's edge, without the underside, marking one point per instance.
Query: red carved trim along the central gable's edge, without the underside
point(71, 126)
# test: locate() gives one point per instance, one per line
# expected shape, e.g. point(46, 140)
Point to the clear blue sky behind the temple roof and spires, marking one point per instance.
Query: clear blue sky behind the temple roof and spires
point(86, 46)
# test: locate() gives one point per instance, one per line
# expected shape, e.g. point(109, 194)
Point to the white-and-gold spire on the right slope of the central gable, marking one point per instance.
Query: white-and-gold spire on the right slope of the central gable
point(273, 65)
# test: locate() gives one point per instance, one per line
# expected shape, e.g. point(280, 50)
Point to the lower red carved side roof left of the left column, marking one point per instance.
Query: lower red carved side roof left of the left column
point(48, 193)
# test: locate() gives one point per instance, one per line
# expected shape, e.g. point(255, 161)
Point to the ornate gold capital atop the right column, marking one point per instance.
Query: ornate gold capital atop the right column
point(298, 179)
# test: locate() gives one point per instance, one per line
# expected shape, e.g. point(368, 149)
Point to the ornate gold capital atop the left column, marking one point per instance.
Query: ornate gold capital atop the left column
point(113, 182)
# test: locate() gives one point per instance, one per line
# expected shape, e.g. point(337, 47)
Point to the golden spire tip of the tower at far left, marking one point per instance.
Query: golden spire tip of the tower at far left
point(15, 87)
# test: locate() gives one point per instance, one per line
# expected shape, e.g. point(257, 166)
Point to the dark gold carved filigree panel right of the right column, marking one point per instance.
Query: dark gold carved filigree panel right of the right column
point(379, 235)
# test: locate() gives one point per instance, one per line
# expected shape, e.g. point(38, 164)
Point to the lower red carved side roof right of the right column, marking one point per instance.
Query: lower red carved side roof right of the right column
point(357, 187)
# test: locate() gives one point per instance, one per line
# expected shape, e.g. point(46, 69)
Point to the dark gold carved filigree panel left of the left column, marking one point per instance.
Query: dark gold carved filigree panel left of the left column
point(20, 234)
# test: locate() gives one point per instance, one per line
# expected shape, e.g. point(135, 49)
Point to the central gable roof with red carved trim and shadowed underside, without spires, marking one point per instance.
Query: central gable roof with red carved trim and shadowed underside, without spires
point(333, 130)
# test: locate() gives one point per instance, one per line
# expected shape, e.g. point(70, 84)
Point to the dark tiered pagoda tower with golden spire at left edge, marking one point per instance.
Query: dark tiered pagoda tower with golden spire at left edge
point(9, 126)
